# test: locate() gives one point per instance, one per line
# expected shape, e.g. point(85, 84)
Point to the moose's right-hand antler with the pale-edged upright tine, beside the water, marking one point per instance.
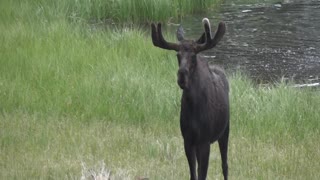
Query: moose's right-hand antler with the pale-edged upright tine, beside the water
point(209, 42)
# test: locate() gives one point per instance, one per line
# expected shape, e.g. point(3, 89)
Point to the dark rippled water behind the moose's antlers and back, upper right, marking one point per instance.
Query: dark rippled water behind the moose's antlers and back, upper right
point(267, 41)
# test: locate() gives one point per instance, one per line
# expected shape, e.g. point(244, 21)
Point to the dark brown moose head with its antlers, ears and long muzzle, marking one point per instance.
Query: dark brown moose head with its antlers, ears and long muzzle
point(187, 50)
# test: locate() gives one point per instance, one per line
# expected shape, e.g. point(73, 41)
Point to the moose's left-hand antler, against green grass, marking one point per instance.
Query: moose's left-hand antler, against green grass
point(158, 39)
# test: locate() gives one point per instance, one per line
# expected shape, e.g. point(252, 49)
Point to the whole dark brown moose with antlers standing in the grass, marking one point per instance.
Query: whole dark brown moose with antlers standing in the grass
point(204, 115)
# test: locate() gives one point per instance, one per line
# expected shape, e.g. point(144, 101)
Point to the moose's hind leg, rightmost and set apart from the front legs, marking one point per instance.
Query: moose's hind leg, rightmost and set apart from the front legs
point(223, 145)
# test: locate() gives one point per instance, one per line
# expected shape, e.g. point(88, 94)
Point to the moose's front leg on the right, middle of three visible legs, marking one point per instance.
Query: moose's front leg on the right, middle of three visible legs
point(203, 152)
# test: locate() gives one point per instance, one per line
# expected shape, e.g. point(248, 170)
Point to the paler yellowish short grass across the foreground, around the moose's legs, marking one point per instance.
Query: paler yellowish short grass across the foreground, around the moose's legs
point(64, 148)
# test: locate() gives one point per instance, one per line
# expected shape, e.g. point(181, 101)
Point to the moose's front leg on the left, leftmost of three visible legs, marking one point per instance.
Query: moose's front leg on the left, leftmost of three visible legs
point(191, 156)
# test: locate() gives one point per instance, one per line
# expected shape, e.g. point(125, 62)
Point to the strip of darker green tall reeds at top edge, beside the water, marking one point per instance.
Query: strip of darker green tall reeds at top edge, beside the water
point(139, 10)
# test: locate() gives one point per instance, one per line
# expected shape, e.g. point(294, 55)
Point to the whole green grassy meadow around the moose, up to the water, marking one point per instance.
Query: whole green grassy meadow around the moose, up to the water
point(78, 101)
